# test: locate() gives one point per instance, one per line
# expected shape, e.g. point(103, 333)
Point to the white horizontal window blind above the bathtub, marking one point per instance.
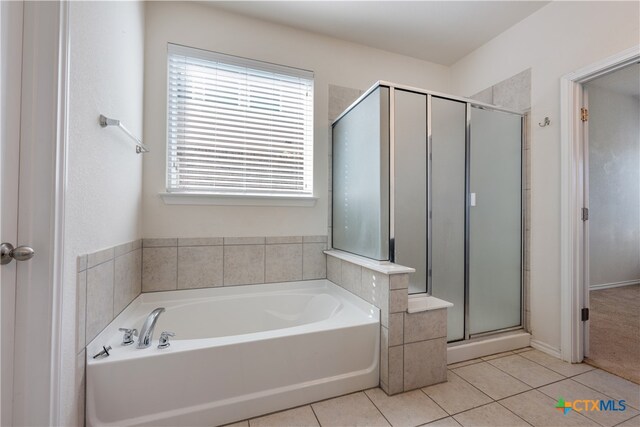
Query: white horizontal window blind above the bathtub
point(238, 126)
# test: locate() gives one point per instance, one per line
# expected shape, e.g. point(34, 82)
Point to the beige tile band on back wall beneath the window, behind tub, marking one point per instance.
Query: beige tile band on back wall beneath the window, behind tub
point(176, 263)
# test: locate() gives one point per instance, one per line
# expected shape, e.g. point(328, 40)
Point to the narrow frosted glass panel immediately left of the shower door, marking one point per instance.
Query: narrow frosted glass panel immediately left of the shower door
point(448, 136)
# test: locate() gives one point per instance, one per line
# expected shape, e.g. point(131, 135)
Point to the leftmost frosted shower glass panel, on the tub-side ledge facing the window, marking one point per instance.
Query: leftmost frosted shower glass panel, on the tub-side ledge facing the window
point(361, 178)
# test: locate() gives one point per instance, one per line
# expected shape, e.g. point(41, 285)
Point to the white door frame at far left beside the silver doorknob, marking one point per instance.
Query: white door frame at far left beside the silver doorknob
point(42, 176)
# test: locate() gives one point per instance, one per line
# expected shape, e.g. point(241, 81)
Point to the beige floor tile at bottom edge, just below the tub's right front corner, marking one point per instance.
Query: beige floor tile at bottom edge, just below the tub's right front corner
point(350, 410)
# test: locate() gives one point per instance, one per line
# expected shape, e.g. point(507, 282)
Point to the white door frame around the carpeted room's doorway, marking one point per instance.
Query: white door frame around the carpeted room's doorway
point(572, 171)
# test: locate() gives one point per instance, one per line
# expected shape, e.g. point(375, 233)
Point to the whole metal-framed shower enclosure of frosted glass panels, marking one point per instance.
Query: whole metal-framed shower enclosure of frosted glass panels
point(434, 182)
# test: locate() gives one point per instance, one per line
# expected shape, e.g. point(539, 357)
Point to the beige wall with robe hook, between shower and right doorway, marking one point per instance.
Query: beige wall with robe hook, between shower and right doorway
point(557, 39)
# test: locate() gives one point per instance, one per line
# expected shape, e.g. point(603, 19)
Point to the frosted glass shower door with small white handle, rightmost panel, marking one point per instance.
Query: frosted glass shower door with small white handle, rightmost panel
point(495, 221)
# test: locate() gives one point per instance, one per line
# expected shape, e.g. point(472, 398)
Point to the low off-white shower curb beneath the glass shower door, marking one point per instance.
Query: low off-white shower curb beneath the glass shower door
point(487, 346)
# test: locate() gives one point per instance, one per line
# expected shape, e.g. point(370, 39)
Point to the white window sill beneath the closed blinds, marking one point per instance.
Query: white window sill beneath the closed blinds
point(236, 200)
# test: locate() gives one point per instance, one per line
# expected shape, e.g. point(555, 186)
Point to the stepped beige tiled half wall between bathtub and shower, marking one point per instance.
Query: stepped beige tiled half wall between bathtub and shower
point(413, 346)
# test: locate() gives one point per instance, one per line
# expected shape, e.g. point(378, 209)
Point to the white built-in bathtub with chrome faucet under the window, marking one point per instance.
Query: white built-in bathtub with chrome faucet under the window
point(238, 352)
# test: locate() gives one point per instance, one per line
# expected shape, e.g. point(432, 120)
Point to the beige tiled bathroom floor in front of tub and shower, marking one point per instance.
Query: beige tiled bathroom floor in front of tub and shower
point(518, 388)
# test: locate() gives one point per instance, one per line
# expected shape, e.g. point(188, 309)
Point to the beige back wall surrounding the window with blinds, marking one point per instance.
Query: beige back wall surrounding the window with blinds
point(333, 62)
